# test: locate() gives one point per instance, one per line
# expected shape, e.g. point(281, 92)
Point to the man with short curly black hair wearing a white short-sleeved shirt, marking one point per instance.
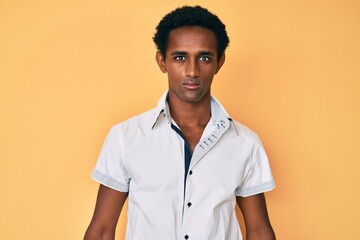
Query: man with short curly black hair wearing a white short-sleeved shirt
point(184, 164)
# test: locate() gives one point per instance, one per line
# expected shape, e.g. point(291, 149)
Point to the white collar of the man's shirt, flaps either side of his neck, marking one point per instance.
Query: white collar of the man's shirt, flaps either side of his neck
point(218, 113)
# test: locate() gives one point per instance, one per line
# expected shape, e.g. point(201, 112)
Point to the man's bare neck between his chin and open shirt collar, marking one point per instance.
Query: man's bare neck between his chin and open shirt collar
point(190, 114)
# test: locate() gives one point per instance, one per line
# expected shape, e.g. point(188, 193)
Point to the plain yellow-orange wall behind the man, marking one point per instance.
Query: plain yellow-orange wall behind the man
point(69, 70)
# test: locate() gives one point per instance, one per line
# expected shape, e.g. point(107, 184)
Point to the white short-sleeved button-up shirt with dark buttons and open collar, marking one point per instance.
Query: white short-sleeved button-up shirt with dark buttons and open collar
point(145, 157)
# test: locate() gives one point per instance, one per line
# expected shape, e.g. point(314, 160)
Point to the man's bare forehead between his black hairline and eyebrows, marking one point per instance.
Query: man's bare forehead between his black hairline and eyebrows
point(192, 39)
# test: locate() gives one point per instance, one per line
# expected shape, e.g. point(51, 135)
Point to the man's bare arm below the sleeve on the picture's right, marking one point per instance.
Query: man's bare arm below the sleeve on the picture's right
point(256, 217)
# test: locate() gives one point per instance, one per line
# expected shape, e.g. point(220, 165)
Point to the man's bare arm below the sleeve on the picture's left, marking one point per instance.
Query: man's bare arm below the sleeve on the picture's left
point(107, 211)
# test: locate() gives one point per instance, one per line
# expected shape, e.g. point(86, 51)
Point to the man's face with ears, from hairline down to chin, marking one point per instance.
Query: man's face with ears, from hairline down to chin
point(191, 63)
